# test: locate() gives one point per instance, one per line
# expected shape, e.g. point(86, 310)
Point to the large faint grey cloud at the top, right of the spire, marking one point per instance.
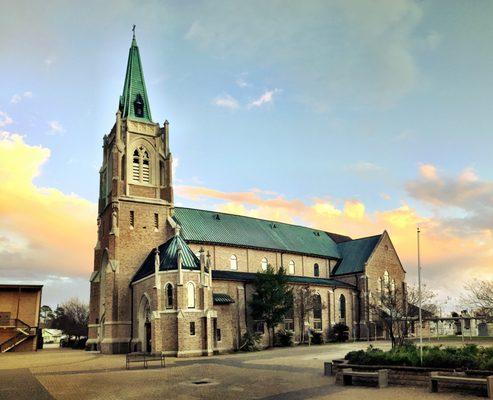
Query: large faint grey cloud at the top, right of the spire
point(356, 52)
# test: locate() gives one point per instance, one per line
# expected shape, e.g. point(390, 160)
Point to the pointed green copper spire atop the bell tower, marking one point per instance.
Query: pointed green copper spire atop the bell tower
point(134, 103)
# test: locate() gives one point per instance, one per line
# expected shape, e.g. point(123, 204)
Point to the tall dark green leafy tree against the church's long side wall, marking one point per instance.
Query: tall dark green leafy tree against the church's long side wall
point(272, 299)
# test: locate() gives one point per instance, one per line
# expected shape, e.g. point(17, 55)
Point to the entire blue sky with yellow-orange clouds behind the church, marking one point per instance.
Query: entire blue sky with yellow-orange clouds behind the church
point(350, 116)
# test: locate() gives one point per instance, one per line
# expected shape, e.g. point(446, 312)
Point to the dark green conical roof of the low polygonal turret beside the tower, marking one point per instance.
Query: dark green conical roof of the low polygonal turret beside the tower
point(168, 256)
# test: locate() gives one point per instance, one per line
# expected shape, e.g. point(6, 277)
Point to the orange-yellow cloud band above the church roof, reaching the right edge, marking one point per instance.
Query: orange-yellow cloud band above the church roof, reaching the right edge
point(444, 250)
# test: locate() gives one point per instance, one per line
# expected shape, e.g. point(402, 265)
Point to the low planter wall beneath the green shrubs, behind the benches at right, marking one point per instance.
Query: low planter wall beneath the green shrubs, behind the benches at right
point(411, 376)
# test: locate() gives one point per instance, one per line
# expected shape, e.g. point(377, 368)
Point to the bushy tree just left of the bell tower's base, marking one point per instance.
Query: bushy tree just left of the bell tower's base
point(72, 318)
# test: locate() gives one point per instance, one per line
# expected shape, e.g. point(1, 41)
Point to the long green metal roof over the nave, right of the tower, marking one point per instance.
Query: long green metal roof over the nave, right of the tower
point(201, 226)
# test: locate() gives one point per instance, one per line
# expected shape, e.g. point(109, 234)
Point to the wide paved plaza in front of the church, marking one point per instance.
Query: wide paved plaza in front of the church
point(281, 374)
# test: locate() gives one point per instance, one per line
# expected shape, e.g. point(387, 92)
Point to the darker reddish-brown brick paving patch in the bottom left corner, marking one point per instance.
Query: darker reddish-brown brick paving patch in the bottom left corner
point(20, 384)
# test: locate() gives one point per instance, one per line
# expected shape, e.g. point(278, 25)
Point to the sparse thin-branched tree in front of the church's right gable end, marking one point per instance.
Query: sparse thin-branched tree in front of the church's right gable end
point(388, 305)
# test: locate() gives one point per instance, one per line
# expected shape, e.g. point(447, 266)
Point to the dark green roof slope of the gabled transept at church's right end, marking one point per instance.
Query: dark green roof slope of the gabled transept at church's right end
point(355, 253)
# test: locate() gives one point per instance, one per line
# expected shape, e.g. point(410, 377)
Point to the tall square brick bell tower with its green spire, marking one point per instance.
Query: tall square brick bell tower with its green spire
point(135, 202)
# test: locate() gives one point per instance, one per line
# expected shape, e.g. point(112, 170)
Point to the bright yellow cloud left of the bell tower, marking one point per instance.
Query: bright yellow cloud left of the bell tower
point(42, 230)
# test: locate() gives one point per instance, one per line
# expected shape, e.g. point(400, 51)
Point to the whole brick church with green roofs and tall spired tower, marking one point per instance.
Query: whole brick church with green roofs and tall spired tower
point(177, 280)
